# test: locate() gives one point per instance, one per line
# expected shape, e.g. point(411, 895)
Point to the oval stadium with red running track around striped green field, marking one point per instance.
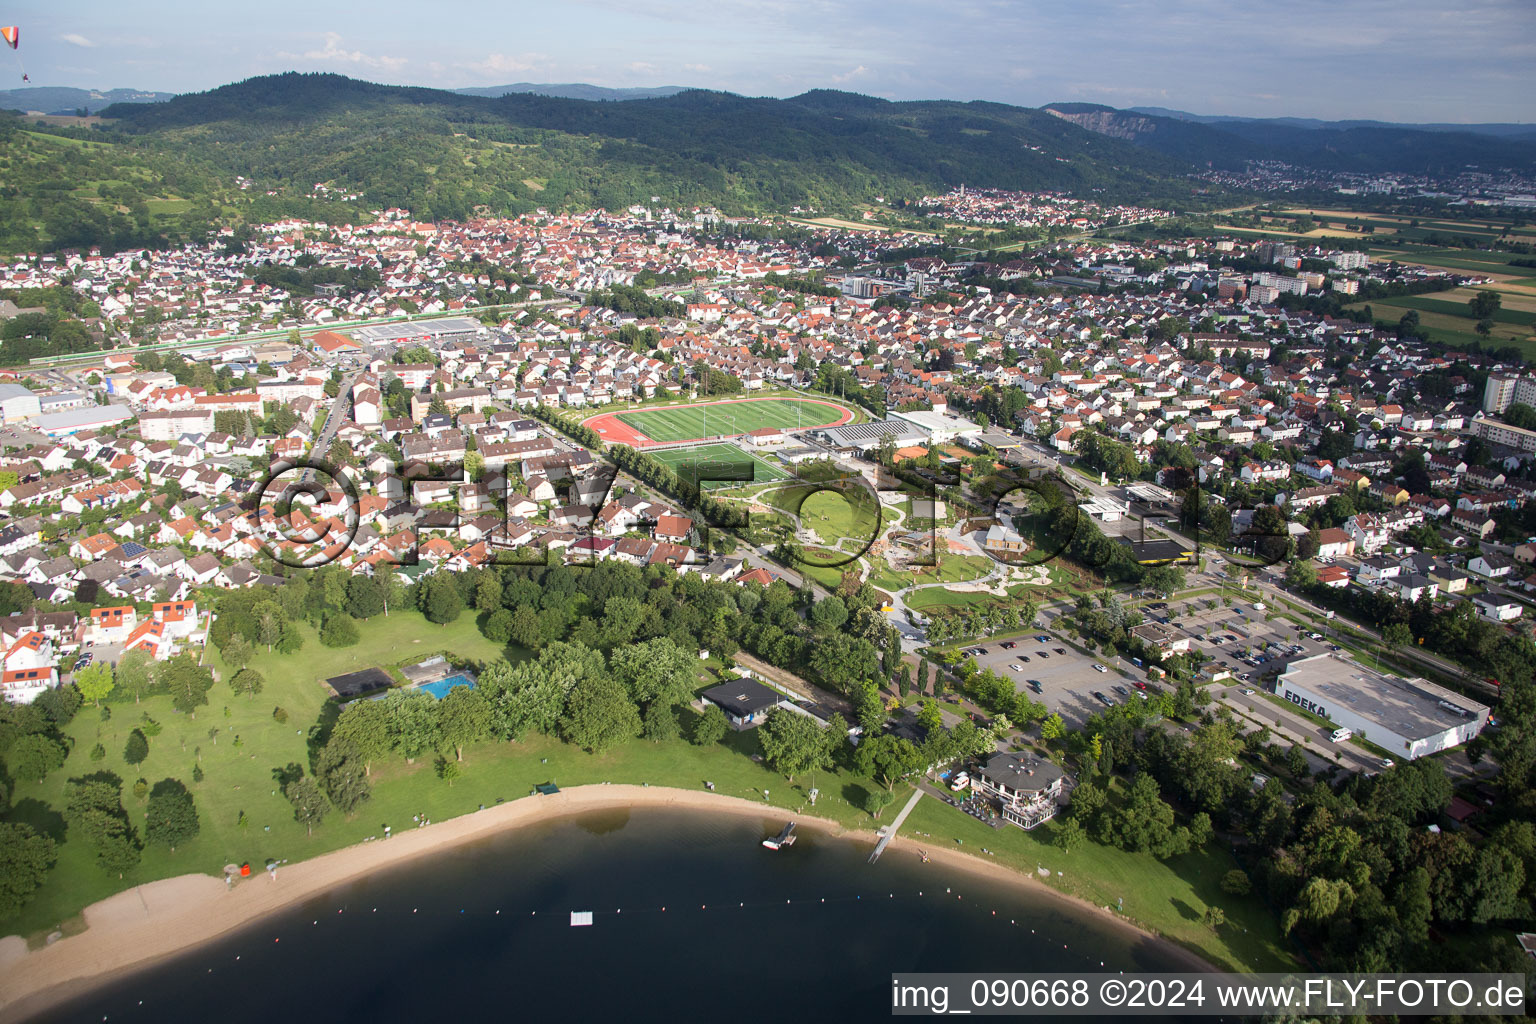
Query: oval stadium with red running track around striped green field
point(717, 420)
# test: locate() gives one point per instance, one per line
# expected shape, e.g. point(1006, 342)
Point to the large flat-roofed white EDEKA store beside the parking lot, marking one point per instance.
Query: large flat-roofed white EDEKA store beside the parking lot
point(1409, 718)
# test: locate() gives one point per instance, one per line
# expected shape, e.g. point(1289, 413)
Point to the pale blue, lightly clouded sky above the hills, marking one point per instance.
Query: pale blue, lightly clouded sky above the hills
point(1395, 61)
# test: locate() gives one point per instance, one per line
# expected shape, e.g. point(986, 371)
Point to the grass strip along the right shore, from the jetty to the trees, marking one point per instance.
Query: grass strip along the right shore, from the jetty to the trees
point(1167, 897)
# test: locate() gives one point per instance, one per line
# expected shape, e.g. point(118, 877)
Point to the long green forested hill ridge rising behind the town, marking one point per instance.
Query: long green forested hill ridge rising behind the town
point(445, 154)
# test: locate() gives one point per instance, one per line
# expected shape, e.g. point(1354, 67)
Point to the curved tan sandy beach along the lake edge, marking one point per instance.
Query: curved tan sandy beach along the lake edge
point(162, 919)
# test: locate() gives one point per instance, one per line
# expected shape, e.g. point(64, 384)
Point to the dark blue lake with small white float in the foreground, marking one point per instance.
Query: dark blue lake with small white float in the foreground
point(690, 916)
